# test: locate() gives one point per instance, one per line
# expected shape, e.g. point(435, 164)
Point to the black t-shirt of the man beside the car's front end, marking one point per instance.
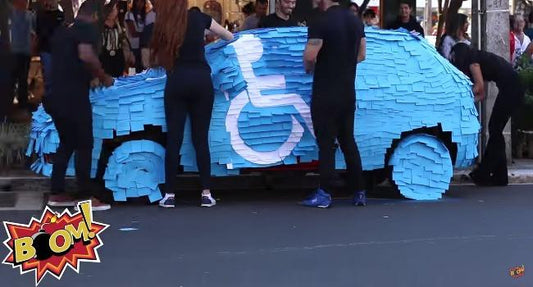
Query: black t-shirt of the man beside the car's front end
point(70, 76)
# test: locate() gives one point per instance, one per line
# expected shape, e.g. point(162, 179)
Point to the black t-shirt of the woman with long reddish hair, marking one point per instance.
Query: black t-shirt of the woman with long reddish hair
point(192, 51)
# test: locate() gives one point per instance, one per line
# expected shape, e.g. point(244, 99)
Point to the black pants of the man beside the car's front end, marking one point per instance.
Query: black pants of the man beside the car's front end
point(75, 135)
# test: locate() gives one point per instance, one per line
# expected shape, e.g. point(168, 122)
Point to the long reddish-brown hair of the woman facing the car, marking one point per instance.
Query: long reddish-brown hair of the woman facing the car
point(169, 32)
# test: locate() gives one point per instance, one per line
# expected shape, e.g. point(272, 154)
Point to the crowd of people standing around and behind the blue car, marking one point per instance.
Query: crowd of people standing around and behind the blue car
point(105, 41)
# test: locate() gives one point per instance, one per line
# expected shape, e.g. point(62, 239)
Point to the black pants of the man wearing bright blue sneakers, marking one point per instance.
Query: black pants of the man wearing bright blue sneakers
point(335, 121)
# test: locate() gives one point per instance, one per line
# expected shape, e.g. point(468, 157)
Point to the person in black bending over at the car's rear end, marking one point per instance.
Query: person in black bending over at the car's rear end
point(483, 66)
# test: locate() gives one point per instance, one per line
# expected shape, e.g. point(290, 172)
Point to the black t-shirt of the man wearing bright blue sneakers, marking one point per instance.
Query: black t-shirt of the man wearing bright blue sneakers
point(335, 70)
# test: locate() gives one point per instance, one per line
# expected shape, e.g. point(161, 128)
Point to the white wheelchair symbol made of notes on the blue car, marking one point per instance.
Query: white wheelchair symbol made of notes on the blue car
point(249, 50)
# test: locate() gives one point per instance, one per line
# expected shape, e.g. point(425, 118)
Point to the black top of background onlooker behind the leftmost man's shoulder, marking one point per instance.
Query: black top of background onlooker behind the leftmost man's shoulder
point(47, 22)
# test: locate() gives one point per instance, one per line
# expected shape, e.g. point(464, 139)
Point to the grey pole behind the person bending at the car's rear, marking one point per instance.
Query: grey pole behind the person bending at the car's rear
point(490, 26)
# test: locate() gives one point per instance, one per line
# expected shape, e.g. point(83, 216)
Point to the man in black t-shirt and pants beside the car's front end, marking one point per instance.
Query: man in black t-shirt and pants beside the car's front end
point(75, 65)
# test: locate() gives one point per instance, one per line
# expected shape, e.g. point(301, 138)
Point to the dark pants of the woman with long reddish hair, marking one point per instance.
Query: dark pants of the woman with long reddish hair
point(189, 90)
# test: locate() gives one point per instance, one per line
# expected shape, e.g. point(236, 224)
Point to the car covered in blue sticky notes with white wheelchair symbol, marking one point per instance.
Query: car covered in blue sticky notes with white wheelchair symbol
point(415, 113)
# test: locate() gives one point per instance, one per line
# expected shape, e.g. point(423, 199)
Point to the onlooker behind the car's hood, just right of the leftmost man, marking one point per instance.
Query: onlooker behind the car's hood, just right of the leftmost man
point(112, 54)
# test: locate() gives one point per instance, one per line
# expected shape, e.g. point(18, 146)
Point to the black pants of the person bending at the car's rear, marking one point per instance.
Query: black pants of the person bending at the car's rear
point(494, 162)
